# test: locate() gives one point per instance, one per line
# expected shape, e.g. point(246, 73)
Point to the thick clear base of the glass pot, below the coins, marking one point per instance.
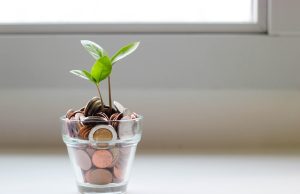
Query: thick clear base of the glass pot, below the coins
point(104, 189)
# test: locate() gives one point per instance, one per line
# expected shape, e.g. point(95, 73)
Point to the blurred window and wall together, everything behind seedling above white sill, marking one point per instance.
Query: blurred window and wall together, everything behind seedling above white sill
point(208, 75)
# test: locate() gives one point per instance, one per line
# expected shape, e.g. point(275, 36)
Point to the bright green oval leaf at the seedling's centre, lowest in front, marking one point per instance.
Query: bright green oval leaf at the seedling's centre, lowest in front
point(101, 69)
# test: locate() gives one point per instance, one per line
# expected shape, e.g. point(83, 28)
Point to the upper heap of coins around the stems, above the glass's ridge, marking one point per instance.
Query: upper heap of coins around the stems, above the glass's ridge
point(95, 122)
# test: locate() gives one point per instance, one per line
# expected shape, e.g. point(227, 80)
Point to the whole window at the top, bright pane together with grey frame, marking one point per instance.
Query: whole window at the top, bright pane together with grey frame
point(133, 15)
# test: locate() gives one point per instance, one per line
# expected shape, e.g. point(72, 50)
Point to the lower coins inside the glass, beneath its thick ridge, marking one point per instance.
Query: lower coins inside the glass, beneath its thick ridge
point(102, 166)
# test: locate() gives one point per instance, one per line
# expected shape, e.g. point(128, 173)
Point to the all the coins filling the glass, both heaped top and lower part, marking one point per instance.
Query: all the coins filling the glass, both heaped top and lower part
point(102, 160)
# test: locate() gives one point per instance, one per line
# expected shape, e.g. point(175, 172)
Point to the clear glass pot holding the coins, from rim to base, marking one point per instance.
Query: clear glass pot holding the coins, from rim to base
point(102, 166)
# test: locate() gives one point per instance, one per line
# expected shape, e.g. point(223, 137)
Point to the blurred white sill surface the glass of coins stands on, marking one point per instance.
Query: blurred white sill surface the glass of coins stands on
point(168, 173)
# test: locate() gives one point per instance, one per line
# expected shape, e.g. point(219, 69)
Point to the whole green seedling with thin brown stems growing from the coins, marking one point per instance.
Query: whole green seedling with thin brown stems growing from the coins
point(103, 65)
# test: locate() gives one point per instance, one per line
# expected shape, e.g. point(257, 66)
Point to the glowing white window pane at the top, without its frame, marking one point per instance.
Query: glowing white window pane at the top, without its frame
point(129, 11)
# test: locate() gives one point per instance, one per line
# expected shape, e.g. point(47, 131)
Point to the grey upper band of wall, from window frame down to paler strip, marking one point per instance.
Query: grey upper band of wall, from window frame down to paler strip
point(163, 61)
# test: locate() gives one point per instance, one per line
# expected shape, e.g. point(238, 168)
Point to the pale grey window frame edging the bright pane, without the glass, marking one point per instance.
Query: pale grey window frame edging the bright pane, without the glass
point(259, 27)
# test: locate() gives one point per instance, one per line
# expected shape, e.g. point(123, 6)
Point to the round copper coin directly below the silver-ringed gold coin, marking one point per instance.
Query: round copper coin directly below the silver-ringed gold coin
point(102, 158)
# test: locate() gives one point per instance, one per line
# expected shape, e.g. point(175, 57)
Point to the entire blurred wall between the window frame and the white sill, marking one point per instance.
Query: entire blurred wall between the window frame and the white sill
point(200, 91)
